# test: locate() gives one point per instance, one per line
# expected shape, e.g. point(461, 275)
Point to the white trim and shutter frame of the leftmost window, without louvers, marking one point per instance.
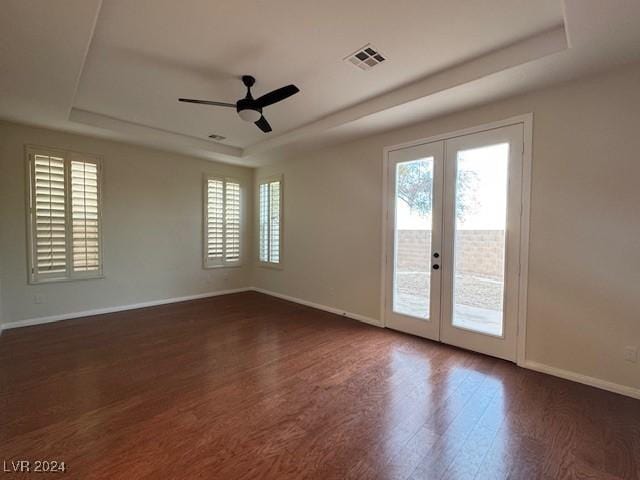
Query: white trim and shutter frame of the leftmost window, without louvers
point(33, 278)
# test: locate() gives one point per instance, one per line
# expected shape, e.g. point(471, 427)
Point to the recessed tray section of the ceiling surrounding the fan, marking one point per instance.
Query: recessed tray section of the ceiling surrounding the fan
point(145, 54)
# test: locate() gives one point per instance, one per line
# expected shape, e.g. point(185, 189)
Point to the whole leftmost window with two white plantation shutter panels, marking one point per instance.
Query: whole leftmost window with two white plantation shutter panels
point(63, 215)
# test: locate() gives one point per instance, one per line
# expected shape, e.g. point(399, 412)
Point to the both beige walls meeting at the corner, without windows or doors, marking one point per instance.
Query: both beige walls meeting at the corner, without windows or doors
point(584, 270)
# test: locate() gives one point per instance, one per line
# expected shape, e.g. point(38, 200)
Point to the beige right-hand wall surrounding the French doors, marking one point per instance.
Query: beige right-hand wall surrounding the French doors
point(584, 270)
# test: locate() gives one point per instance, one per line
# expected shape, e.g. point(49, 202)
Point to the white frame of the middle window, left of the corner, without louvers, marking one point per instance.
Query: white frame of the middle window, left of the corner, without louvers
point(206, 265)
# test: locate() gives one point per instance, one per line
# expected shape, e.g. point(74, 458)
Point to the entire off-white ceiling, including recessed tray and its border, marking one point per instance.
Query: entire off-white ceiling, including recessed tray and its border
point(115, 68)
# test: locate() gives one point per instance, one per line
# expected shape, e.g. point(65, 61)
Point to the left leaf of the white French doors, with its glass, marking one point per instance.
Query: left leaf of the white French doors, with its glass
point(415, 228)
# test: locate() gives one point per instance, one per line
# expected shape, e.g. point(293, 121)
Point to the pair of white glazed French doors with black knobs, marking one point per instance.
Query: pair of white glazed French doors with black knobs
point(453, 237)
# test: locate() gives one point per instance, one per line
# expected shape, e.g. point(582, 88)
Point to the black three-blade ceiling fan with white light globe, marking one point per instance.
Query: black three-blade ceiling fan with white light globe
point(249, 108)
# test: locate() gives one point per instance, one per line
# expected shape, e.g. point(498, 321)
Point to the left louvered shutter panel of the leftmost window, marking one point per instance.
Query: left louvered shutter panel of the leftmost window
point(49, 210)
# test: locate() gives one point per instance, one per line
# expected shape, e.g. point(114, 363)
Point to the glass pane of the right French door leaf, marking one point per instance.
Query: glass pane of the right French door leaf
point(479, 245)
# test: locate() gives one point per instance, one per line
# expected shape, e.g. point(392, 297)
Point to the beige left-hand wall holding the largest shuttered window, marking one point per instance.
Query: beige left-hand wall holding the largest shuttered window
point(152, 228)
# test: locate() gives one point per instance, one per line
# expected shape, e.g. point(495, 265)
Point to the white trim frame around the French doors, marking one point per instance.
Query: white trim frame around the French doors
point(526, 120)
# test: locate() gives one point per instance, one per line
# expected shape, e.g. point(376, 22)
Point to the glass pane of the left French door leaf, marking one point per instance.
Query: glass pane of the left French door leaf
point(414, 203)
